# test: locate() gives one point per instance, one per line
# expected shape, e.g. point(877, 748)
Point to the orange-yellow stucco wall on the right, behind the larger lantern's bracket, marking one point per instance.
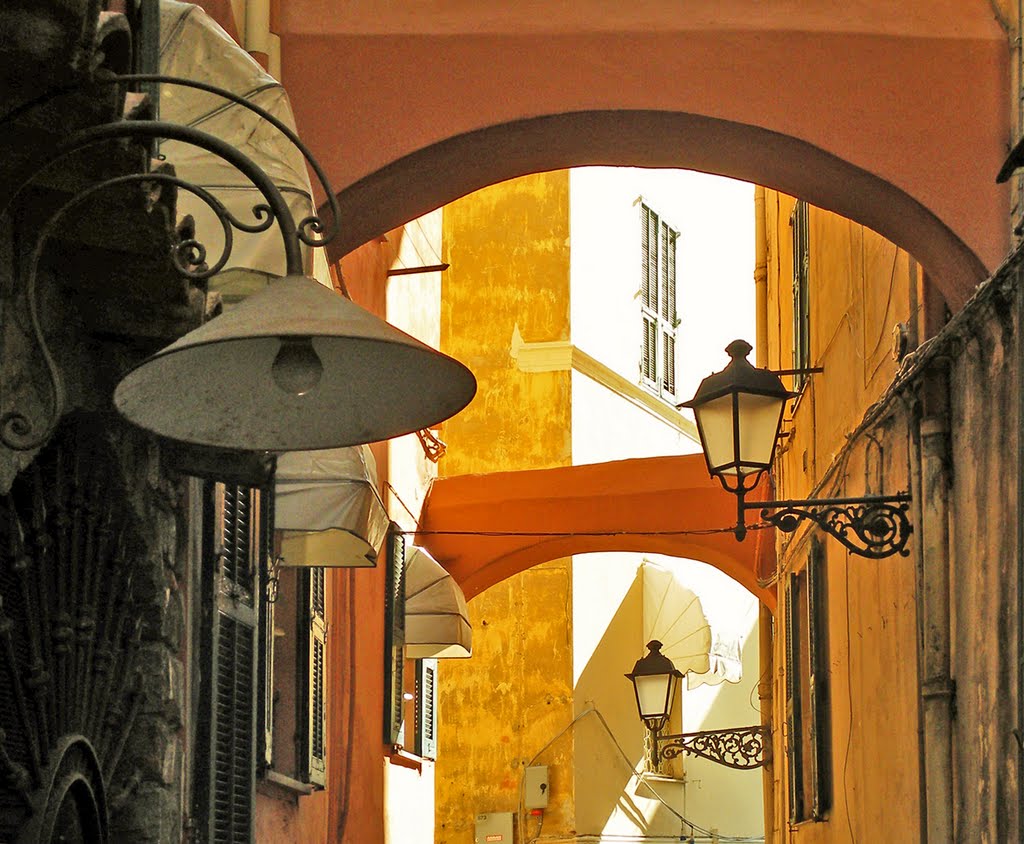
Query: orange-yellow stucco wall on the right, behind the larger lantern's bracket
point(861, 287)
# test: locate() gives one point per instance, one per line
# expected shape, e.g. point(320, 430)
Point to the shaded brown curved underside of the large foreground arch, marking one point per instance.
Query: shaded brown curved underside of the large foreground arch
point(432, 178)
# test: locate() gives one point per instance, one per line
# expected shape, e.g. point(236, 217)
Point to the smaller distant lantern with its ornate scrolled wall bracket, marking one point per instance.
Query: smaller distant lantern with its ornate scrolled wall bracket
point(655, 682)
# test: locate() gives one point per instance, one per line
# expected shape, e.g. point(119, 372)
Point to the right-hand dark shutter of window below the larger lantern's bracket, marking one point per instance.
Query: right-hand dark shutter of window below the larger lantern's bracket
point(821, 762)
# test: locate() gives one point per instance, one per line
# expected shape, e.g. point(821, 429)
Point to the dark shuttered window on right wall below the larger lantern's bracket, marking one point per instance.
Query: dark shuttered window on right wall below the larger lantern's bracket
point(808, 716)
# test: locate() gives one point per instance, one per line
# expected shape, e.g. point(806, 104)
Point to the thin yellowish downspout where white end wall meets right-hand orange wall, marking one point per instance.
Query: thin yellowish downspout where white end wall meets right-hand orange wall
point(766, 620)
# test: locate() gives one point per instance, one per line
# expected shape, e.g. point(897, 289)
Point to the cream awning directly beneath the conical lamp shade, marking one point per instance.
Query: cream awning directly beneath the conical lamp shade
point(327, 509)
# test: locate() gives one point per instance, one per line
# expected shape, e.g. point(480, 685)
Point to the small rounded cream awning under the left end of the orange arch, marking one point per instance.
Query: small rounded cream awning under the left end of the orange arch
point(437, 615)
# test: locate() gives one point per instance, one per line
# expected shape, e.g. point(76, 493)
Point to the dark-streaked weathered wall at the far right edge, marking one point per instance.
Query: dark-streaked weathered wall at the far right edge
point(986, 385)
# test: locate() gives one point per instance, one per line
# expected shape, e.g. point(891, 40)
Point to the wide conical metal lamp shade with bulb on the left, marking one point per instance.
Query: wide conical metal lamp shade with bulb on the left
point(294, 367)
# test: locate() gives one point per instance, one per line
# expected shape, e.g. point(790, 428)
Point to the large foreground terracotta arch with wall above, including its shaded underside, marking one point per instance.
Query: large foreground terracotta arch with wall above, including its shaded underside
point(894, 114)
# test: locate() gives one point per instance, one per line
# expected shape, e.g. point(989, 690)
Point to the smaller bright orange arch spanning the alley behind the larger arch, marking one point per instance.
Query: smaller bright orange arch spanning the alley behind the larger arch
point(485, 529)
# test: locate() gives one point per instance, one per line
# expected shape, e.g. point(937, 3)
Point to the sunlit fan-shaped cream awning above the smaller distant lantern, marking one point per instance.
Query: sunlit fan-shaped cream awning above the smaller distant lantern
point(673, 615)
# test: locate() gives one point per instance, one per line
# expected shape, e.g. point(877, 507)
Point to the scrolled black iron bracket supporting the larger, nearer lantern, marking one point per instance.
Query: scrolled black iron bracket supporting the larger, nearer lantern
point(873, 527)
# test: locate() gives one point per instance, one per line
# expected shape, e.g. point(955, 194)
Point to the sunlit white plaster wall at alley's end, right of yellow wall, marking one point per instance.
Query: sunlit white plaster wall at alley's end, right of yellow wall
point(715, 301)
